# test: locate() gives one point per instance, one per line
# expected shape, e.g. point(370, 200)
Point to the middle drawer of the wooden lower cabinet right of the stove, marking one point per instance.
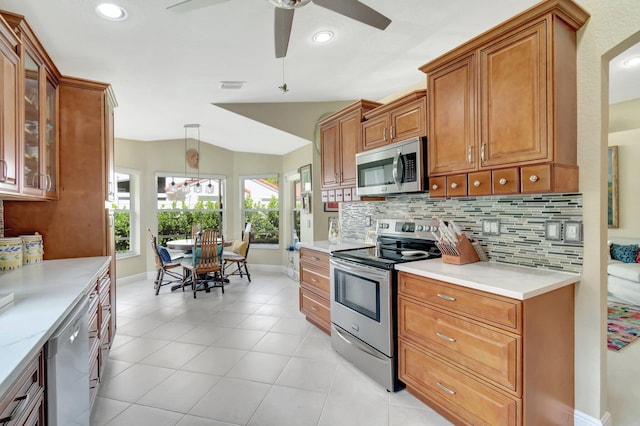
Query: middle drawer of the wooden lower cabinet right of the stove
point(487, 353)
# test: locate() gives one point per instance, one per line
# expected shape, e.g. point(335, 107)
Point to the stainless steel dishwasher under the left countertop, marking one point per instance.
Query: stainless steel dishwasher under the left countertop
point(67, 353)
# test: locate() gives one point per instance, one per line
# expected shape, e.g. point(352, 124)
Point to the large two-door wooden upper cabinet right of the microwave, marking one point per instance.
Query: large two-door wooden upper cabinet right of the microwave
point(507, 98)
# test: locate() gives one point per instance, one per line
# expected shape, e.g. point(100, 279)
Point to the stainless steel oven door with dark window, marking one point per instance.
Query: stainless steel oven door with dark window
point(361, 298)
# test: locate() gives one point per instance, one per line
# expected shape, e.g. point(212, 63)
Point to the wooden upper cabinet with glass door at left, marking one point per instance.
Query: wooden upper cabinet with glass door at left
point(37, 113)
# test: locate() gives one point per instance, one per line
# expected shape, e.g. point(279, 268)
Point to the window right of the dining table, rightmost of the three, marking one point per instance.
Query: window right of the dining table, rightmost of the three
point(261, 208)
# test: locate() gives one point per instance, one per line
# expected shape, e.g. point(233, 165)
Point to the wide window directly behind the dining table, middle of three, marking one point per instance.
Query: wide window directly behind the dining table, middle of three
point(182, 203)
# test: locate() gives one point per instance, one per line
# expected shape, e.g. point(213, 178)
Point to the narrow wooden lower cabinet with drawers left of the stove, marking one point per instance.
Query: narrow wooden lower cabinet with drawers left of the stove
point(314, 288)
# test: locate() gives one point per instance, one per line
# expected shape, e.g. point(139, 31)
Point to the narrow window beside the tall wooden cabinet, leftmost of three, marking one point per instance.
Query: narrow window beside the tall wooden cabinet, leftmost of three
point(124, 214)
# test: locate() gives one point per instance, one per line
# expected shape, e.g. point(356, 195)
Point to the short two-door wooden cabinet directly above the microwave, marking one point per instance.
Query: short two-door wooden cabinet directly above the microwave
point(396, 121)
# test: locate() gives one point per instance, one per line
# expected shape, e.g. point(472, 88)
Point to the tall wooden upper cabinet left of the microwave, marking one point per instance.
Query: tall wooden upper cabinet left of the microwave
point(340, 140)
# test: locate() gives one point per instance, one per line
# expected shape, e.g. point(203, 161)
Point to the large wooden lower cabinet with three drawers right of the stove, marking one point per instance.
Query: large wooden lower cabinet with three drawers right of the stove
point(483, 359)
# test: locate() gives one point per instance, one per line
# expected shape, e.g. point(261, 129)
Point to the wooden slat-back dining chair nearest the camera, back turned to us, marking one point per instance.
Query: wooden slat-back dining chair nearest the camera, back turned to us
point(204, 269)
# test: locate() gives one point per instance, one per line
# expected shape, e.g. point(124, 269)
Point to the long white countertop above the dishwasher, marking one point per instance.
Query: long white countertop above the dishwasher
point(44, 294)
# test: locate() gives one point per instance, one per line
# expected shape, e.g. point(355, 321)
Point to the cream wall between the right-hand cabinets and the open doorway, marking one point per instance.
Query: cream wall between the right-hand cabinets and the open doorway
point(611, 23)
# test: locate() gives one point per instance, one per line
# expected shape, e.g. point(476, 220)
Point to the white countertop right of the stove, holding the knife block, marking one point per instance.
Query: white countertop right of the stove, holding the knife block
point(517, 282)
